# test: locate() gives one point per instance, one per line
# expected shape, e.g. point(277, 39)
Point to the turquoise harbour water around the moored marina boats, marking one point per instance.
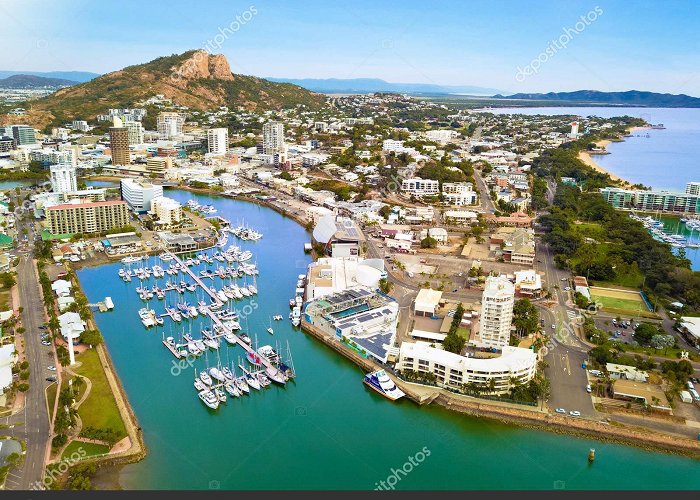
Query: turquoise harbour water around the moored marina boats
point(326, 430)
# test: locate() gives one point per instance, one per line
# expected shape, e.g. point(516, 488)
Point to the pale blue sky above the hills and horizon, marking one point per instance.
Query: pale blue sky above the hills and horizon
point(510, 45)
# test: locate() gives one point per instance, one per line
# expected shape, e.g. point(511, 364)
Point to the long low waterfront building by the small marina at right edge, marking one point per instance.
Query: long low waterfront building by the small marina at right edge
point(652, 201)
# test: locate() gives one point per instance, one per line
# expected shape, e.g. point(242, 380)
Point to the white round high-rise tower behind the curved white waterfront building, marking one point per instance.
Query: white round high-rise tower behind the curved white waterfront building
point(497, 312)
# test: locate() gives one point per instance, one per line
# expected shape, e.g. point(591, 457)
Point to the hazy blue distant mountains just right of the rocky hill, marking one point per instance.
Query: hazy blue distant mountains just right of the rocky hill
point(369, 85)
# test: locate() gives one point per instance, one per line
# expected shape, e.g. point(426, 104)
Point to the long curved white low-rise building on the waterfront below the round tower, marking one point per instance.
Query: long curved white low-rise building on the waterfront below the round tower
point(454, 370)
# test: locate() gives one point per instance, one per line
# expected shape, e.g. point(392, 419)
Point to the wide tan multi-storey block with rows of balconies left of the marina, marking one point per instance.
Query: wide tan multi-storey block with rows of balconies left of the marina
point(85, 218)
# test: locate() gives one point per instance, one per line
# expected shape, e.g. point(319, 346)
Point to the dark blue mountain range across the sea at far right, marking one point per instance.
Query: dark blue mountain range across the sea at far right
point(593, 97)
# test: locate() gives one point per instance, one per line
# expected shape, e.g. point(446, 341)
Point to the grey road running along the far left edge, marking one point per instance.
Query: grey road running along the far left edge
point(31, 424)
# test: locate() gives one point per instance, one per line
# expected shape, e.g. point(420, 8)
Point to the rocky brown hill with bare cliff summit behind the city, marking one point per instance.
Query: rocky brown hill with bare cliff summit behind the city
point(196, 79)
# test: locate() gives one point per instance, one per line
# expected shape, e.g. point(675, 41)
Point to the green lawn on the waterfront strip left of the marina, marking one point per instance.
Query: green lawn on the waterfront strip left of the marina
point(99, 410)
